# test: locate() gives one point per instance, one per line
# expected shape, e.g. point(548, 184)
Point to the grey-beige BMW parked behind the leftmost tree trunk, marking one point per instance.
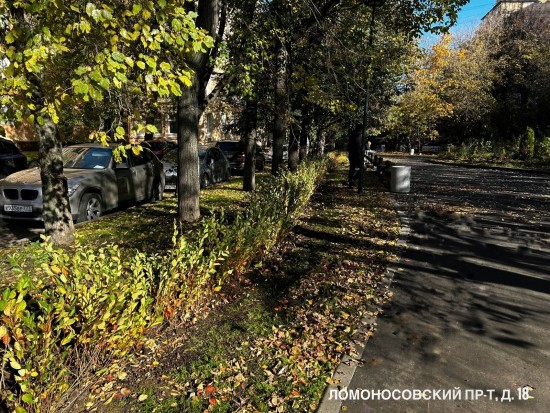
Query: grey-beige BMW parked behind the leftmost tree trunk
point(95, 183)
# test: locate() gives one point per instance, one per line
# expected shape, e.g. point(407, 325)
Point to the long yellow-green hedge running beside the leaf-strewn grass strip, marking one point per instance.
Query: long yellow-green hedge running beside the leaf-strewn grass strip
point(71, 308)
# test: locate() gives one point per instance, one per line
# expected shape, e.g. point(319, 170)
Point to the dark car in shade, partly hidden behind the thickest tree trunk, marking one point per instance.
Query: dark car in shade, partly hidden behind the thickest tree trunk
point(213, 167)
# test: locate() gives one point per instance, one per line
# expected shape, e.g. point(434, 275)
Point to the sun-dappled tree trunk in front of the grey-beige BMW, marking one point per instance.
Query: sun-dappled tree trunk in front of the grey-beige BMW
point(58, 221)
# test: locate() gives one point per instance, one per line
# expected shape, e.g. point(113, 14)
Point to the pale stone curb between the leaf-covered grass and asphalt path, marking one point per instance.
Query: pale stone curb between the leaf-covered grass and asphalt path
point(345, 371)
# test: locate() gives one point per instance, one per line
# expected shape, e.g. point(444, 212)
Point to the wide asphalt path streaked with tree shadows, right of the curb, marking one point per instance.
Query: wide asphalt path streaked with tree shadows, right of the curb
point(471, 304)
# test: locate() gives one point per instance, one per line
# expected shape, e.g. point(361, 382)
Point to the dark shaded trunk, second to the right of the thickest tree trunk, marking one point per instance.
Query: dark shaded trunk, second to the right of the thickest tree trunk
point(281, 109)
